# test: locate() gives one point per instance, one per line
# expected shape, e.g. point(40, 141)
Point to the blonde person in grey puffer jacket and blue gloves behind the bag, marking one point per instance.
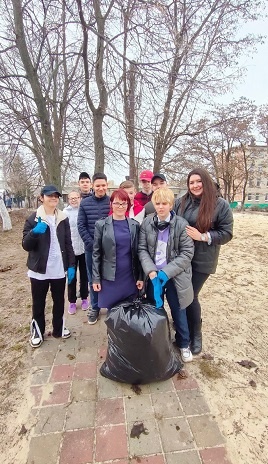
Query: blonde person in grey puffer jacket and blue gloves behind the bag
point(165, 252)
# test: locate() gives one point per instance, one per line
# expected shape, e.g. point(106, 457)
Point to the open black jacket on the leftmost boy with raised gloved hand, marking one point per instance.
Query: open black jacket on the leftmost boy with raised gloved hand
point(38, 245)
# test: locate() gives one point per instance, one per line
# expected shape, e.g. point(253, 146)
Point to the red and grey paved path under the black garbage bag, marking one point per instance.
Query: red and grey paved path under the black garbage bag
point(80, 417)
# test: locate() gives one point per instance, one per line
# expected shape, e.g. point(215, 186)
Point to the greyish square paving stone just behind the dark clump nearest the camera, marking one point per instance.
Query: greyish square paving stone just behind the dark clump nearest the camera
point(138, 408)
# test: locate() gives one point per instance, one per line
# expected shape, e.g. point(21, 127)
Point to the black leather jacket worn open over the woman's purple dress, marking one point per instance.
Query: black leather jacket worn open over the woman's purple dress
point(104, 250)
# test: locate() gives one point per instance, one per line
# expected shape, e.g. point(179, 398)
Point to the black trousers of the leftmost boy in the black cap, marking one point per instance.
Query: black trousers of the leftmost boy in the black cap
point(39, 292)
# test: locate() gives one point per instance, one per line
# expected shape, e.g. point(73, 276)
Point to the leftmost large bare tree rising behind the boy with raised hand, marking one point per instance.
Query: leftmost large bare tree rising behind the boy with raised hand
point(40, 85)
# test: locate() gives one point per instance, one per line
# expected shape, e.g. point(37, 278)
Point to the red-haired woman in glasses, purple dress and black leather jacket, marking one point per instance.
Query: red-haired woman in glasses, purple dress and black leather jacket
point(116, 270)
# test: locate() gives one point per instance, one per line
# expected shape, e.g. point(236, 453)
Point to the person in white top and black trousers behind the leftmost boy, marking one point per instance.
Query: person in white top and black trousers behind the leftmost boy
point(79, 250)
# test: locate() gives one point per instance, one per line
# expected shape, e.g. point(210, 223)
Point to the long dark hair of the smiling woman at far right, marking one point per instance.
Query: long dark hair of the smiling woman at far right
point(208, 199)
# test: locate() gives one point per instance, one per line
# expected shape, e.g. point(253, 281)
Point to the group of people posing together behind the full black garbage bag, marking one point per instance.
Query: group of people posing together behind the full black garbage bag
point(124, 244)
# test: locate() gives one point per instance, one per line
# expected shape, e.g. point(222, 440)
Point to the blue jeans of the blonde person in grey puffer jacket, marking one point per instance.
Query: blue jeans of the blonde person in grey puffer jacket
point(179, 316)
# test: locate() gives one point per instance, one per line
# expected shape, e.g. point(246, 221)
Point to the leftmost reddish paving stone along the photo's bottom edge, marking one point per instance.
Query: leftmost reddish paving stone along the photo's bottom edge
point(77, 447)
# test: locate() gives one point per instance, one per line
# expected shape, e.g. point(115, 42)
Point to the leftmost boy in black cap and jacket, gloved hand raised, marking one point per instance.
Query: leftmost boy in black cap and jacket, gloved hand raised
point(47, 238)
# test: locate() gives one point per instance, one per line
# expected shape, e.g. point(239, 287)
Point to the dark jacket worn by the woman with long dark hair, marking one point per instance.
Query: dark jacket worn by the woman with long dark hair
point(206, 256)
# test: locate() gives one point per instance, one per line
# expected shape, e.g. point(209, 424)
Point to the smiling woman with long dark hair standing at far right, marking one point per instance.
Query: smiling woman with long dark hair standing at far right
point(210, 226)
